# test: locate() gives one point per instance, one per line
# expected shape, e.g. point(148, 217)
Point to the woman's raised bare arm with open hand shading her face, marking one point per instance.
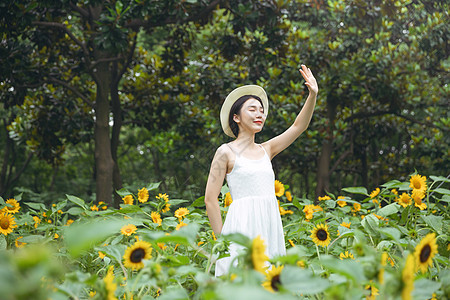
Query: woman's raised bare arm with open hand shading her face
point(282, 141)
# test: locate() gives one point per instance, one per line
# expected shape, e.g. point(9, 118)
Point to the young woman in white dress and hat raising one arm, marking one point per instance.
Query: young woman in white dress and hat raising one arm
point(248, 169)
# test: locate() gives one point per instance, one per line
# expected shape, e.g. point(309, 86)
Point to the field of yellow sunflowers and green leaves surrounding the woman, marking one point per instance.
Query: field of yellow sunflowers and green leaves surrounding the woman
point(389, 243)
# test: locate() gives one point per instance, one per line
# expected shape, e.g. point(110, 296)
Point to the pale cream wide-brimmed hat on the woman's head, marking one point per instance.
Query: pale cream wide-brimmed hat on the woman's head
point(232, 97)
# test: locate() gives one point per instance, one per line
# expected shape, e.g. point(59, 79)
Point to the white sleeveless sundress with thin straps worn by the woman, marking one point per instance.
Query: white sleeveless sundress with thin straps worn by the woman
point(254, 210)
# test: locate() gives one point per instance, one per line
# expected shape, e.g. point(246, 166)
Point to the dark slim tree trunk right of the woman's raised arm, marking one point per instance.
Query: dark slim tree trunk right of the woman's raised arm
point(323, 167)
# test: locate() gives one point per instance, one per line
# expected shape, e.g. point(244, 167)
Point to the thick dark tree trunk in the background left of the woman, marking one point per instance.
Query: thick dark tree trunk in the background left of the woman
point(103, 158)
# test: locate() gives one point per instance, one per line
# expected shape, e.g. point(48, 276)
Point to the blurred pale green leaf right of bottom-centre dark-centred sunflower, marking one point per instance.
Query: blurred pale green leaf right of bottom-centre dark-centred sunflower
point(302, 281)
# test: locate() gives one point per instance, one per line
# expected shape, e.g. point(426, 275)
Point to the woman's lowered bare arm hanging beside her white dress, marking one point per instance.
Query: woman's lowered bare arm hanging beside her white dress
point(213, 187)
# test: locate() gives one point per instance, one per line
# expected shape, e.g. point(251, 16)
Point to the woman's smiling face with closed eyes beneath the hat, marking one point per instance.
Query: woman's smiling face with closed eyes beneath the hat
point(251, 117)
